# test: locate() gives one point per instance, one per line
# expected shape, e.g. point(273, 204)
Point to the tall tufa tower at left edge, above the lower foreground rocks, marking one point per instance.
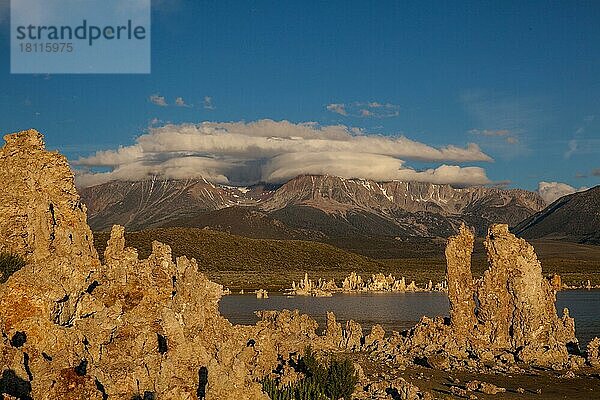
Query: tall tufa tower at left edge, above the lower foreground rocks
point(41, 213)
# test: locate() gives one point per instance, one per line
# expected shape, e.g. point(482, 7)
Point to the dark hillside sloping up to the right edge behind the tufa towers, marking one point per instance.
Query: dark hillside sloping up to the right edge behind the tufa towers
point(574, 218)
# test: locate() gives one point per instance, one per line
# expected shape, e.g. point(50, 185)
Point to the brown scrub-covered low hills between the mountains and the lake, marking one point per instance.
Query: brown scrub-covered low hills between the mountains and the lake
point(241, 262)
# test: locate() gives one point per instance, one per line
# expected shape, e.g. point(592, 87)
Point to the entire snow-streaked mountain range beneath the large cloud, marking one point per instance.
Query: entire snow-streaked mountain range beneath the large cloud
point(313, 207)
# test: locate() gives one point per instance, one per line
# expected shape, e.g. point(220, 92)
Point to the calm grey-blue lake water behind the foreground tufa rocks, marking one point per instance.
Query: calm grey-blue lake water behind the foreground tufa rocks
point(397, 311)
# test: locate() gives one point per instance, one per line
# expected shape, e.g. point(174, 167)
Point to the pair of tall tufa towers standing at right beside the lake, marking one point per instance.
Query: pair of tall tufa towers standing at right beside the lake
point(512, 307)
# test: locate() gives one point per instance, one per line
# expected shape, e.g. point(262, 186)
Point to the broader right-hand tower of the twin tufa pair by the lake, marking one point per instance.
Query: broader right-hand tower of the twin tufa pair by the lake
point(516, 303)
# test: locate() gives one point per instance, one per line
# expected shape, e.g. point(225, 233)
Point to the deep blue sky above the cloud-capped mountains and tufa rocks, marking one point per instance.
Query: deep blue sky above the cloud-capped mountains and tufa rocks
point(520, 79)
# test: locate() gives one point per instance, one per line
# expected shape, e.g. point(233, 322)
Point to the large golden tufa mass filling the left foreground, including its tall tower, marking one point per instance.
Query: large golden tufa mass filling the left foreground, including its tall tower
point(73, 328)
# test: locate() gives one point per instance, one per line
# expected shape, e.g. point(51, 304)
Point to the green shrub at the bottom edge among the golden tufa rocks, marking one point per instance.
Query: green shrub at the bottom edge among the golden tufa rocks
point(332, 379)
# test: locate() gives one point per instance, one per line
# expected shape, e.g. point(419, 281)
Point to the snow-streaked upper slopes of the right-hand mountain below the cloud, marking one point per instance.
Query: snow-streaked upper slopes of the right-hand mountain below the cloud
point(331, 193)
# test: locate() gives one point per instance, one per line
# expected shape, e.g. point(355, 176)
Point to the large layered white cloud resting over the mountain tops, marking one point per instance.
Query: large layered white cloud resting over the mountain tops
point(274, 151)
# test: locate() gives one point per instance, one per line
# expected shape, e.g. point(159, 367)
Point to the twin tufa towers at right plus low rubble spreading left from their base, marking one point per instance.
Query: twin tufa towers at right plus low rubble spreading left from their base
point(507, 316)
